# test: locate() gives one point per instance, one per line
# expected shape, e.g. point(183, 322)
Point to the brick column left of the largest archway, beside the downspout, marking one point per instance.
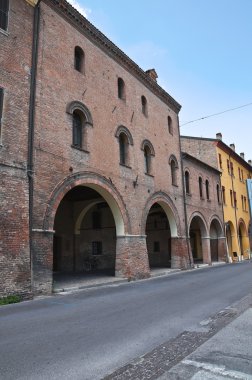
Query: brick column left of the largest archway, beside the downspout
point(42, 261)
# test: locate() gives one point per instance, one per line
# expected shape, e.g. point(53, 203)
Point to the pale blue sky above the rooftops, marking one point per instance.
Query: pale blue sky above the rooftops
point(201, 51)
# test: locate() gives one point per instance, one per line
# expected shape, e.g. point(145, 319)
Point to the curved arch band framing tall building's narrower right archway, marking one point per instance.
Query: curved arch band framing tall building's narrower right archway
point(169, 208)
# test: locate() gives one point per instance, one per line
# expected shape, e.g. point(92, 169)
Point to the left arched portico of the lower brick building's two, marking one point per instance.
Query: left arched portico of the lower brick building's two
point(199, 239)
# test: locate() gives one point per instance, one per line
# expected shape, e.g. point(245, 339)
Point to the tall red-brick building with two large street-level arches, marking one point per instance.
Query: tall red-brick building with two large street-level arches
point(90, 154)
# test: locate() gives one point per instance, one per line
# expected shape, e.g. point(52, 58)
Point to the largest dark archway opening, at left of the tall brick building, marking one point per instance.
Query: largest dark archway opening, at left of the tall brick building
point(85, 235)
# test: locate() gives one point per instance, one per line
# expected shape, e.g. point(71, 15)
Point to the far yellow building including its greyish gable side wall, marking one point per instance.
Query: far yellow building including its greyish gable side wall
point(234, 172)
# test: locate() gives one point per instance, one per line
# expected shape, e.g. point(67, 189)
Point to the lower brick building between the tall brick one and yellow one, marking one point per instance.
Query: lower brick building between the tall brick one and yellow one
point(204, 210)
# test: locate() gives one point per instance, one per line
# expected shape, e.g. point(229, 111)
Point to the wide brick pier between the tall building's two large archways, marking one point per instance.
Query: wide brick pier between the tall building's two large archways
point(132, 257)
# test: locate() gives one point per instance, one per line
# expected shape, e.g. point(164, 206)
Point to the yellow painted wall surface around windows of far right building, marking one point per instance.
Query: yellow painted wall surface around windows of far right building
point(235, 215)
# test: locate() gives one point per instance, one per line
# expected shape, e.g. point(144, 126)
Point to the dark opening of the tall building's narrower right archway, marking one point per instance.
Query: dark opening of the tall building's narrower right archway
point(158, 238)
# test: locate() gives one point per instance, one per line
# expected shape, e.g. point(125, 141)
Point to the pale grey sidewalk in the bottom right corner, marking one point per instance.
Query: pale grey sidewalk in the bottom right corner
point(225, 356)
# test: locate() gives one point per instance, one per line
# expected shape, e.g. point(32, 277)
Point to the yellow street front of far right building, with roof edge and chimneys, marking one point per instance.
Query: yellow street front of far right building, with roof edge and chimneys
point(235, 170)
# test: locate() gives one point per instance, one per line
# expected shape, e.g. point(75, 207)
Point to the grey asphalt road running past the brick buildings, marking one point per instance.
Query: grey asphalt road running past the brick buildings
point(89, 334)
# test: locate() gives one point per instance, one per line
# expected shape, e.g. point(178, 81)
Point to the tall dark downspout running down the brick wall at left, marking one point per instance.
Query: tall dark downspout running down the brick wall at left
point(30, 164)
